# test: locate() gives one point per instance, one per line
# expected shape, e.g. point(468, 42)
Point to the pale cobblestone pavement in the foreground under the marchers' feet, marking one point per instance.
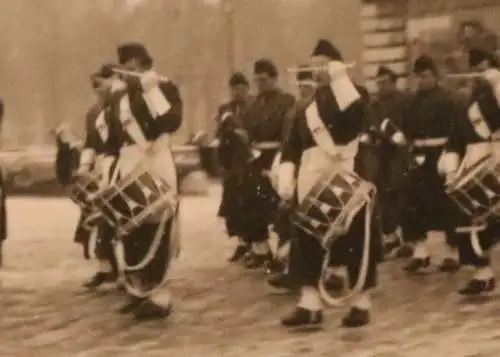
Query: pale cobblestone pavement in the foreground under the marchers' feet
point(220, 310)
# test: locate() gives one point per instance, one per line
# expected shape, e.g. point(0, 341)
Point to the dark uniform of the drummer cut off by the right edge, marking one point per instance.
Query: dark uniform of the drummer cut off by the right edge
point(463, 135)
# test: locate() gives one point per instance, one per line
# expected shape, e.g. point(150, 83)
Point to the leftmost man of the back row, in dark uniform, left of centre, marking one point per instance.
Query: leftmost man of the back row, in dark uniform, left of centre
point(234, 153)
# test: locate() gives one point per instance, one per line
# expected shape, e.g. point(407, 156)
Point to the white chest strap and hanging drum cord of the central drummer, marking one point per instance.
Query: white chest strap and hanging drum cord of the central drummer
point(324, 141)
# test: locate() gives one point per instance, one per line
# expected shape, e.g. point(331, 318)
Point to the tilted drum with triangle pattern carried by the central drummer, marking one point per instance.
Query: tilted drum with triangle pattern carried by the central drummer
point(330, 206)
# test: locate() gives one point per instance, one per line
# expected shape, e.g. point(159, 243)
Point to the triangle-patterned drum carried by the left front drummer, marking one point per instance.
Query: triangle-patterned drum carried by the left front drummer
point(137, 198)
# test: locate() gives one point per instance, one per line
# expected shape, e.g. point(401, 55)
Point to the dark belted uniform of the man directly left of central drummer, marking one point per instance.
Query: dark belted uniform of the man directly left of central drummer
point(264, 123)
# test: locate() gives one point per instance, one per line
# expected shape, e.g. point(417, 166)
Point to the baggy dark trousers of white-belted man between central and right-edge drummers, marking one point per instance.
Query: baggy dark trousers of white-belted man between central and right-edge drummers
point(426, 206)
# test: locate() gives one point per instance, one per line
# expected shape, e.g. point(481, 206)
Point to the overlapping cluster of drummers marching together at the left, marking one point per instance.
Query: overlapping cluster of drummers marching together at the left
point(124, 179)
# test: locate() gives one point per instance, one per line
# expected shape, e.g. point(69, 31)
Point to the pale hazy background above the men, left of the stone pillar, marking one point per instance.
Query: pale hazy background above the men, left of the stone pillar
point(50, 47)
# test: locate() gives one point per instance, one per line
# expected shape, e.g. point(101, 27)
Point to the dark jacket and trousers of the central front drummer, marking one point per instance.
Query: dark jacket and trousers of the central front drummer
point(344, 127)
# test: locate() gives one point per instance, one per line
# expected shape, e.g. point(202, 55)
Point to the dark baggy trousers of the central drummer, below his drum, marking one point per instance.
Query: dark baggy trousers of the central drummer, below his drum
point(348, 249)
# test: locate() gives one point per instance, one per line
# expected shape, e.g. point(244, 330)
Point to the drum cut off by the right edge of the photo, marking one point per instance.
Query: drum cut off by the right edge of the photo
point(476, 190)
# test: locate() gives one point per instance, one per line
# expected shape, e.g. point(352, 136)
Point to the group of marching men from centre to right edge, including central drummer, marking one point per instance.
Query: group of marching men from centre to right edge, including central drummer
point(356, 178)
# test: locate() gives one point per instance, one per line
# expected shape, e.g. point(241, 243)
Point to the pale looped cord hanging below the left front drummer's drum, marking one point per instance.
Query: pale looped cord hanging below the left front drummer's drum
point(151, 253)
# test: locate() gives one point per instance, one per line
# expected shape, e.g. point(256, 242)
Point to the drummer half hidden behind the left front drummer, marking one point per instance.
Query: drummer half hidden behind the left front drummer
point(99, 156)
